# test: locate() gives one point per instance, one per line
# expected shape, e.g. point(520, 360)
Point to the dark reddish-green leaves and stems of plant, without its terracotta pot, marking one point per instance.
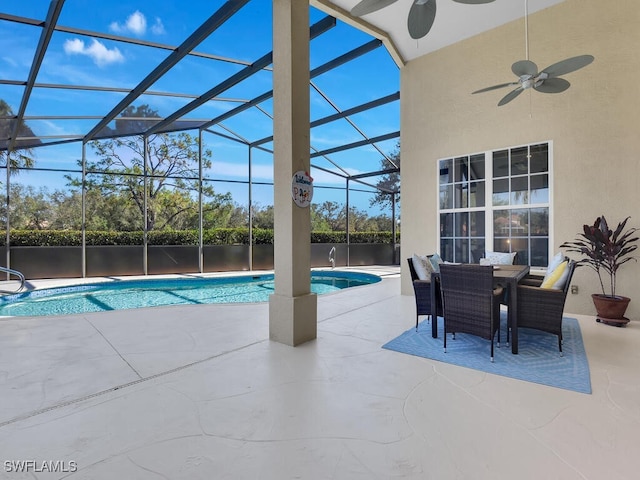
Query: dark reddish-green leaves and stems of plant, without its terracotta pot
point(604, 250)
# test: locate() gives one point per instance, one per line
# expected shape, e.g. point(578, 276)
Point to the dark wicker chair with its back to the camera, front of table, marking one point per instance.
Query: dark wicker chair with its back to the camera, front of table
point(470, 302)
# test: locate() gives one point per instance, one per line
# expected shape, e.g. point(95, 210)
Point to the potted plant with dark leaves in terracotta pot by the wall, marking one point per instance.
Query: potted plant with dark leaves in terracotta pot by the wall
point(605, 251)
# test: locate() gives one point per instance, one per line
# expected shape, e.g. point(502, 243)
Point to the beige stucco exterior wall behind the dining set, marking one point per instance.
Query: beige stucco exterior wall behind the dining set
point(594, 126)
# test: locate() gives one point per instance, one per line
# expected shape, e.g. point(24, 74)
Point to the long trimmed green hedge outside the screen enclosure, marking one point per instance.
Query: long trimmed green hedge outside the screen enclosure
point(214, 236)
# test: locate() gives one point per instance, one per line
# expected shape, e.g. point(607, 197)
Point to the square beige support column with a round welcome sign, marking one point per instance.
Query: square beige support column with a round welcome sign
point(292, 308)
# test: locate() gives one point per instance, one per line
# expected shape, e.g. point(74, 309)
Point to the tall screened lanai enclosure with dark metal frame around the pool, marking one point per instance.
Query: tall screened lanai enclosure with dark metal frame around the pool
point(138, 139)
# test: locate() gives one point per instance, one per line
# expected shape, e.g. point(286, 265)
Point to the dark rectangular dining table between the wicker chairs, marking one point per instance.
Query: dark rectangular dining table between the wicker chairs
point(507, 276)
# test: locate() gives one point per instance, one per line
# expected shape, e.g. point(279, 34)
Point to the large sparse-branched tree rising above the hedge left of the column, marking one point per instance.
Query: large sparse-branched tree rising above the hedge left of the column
point(172, 175)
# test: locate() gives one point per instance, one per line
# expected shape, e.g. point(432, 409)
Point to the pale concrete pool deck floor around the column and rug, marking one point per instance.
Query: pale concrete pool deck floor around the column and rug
point(199, 392)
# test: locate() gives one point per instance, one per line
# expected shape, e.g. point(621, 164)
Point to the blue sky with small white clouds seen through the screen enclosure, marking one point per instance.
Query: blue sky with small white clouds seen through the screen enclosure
point(74, 59)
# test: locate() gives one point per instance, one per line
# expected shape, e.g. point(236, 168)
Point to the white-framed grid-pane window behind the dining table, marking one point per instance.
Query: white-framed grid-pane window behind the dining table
point(499, 201)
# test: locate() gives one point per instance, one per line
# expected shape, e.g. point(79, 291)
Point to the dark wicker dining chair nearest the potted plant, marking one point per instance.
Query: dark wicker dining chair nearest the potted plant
point(542, 308)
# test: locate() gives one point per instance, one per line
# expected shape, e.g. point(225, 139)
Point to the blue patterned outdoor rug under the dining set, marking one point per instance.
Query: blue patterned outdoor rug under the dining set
point(538, 359)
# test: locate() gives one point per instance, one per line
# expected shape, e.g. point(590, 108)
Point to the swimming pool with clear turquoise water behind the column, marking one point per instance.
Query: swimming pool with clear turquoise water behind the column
point(128, 294)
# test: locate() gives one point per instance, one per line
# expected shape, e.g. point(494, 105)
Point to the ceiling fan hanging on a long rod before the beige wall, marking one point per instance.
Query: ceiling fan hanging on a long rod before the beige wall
point(546, 81)
